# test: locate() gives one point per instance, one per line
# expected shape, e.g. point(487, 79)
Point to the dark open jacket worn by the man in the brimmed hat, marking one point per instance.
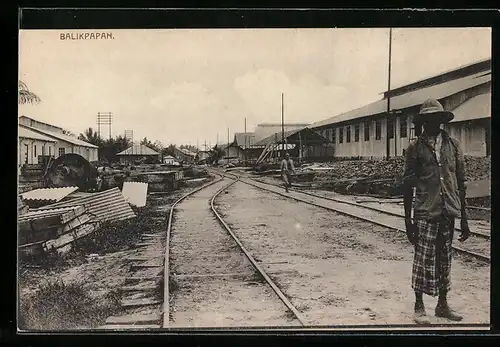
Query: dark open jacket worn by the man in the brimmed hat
point(437, 186)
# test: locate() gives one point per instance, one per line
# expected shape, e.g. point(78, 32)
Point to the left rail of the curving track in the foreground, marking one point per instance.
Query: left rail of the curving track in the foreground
point(166, 270)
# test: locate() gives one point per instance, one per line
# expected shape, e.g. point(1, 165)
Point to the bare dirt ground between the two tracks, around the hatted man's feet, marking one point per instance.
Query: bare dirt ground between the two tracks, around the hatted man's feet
point(342, 271)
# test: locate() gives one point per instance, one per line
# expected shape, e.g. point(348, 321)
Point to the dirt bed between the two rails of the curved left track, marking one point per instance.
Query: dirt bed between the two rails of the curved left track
point(200, 246)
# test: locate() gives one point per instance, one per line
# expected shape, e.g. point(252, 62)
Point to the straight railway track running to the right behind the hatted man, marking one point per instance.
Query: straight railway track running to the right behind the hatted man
point(370, 214)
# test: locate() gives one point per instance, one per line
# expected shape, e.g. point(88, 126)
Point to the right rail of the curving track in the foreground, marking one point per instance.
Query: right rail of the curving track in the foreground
point(261, 271)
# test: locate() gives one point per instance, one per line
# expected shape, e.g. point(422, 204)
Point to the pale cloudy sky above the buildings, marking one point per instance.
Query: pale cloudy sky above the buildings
point(189, 86)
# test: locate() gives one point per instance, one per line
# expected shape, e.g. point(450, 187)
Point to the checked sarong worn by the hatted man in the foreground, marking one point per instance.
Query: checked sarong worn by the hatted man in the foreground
point(433, 254)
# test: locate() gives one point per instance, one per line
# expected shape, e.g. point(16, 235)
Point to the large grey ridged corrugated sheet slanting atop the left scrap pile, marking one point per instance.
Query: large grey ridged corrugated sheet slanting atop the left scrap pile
point(108, 205)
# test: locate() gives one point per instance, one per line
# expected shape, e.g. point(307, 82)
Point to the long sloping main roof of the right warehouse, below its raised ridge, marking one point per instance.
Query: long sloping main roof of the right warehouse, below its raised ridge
point(410, 99)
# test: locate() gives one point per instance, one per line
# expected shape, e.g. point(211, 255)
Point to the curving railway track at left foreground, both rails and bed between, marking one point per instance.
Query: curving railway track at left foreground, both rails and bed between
point(196, 250)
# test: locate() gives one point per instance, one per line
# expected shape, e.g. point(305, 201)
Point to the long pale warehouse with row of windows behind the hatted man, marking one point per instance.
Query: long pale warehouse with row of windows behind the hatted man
point(466, 91)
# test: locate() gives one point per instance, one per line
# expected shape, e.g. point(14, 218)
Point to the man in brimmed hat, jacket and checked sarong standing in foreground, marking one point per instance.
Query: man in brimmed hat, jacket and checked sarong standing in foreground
point(435, 168)
